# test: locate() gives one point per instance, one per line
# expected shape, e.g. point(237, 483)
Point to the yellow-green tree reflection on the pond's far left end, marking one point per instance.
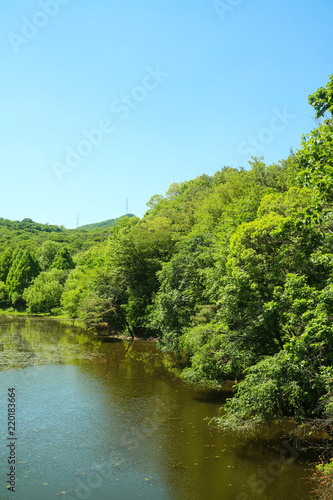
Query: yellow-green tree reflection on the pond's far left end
point(40, 341)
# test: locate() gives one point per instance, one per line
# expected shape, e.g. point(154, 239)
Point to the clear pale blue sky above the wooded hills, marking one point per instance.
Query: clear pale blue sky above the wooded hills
point(105, 103)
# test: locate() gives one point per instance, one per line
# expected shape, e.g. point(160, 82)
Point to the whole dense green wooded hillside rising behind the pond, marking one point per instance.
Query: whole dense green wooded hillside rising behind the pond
point(234, 272)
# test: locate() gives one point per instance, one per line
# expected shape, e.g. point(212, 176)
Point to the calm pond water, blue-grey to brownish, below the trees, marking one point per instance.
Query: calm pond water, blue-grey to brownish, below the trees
point(113, 421)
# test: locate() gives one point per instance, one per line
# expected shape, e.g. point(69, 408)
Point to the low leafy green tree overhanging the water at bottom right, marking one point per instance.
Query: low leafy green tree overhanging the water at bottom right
point(296, 381)
